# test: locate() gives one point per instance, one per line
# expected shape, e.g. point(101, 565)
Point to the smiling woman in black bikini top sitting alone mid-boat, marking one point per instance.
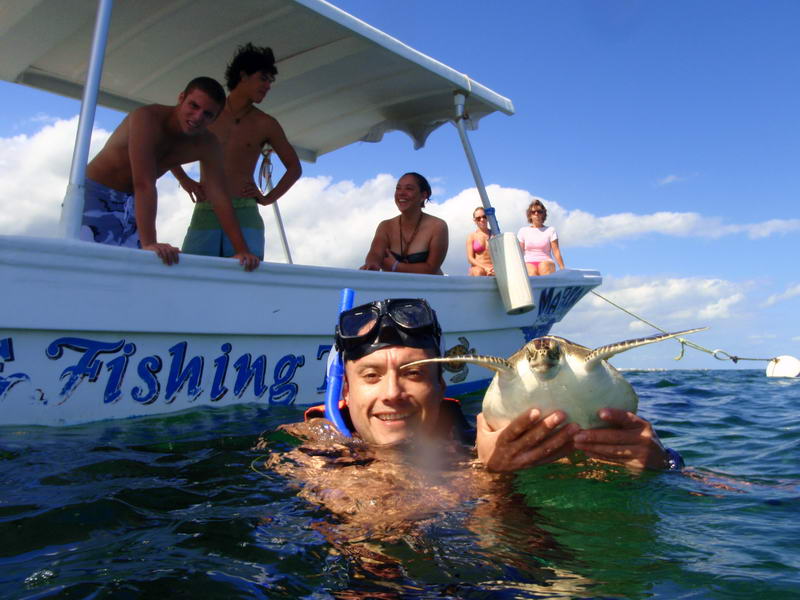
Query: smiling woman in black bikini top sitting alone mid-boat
point(412, 242)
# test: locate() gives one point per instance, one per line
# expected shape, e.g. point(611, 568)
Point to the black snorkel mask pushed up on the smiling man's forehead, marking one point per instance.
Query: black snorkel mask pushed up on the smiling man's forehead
point(394, 322)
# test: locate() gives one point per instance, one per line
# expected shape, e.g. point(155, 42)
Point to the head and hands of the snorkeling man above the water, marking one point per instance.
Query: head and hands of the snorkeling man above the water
point(385, 402)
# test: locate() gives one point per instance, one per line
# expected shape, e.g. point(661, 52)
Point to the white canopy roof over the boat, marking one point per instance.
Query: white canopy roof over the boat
point(340, 80)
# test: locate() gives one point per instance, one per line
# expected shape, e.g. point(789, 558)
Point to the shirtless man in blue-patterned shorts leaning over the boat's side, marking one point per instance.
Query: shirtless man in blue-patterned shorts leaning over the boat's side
point(121, 198)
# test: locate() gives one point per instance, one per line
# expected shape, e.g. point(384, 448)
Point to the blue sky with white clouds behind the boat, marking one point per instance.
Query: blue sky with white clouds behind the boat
point(662, 136)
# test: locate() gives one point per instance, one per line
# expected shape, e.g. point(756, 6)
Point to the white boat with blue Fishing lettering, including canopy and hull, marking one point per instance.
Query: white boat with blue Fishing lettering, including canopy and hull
point(91, 332)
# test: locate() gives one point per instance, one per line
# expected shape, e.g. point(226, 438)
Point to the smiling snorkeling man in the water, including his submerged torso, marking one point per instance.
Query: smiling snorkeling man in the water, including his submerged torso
point(409, 465)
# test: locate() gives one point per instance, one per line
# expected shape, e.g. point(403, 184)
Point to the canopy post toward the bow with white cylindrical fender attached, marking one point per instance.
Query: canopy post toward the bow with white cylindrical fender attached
point(509, 267)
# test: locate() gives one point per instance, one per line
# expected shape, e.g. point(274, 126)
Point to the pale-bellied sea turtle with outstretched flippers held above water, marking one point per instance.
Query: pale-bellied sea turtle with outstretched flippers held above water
point(552, 373)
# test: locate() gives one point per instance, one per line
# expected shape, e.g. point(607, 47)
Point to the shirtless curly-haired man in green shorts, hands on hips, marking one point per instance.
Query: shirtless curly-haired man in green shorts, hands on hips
point(243, 131)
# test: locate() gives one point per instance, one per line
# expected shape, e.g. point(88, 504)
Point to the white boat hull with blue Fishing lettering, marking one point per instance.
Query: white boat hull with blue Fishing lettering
point(91, 332)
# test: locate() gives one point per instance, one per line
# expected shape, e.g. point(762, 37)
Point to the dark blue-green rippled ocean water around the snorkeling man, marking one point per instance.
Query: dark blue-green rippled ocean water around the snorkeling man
point(179, 507)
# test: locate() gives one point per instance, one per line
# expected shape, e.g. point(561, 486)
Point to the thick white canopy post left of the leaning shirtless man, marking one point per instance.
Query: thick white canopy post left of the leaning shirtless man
point(72, 208)
